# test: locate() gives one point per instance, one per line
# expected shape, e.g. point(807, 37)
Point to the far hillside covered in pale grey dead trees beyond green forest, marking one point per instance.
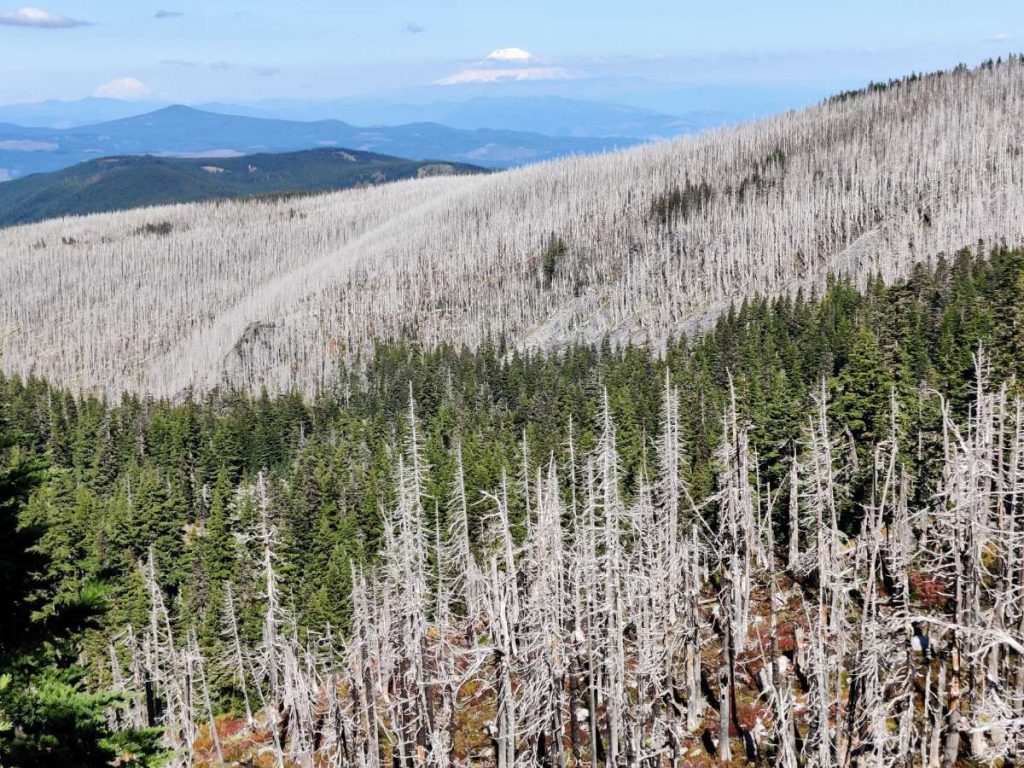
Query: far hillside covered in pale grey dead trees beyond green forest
point(641, 245)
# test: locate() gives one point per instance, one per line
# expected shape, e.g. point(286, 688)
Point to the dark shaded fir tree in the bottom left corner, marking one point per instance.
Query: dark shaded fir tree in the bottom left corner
point(49, 716)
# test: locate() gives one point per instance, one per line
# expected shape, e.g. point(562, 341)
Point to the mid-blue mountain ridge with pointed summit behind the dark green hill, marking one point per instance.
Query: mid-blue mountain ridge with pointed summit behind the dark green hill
point(185, 132)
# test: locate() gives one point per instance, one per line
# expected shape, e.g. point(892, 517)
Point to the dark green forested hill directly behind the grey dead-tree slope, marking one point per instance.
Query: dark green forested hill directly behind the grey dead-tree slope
point(123, 183)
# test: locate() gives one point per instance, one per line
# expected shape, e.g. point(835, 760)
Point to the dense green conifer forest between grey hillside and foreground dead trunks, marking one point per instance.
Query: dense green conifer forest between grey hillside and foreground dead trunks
point(90, 489)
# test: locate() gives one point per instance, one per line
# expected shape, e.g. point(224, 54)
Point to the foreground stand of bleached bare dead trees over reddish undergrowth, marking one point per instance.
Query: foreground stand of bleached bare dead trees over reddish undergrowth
point(655, 630)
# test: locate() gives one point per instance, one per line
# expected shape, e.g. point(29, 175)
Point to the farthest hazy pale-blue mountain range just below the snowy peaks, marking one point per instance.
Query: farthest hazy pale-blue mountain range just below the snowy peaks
point(629, 107)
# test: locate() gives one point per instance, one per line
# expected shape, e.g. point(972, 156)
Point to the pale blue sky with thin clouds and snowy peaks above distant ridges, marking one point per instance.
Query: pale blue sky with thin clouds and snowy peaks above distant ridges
point(195, 52)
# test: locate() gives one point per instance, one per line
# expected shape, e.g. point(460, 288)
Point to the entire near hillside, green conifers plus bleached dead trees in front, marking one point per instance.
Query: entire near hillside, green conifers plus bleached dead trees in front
point(794, 541)
